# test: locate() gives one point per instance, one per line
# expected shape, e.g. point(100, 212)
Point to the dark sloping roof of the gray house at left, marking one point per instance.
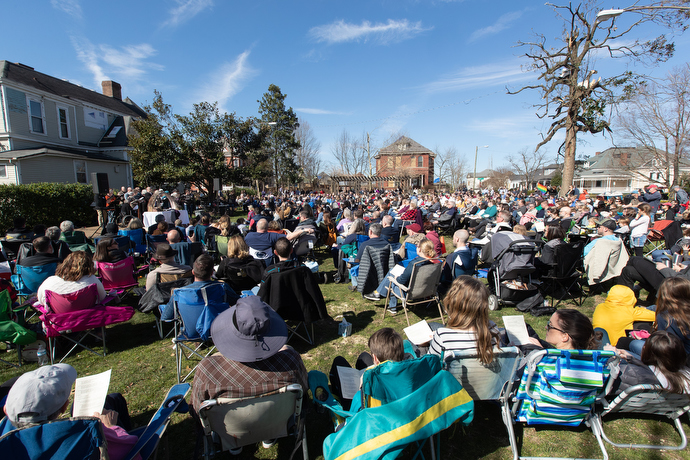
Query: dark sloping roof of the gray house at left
point(25, 75)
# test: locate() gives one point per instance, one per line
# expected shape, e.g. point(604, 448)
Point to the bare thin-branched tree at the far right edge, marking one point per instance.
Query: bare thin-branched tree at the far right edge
point(657, 118)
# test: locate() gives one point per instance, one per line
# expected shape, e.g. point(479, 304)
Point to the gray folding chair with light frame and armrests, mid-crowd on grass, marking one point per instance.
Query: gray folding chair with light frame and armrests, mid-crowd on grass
point(423, 287)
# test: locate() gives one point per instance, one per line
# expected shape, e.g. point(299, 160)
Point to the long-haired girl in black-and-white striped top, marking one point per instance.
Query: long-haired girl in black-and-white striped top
point(467, 303)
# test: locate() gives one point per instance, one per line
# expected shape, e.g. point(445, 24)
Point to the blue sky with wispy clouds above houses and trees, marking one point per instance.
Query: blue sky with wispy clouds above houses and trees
point(435, 70)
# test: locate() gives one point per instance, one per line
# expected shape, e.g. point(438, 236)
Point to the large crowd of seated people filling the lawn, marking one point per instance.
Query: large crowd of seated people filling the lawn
point(251, 337)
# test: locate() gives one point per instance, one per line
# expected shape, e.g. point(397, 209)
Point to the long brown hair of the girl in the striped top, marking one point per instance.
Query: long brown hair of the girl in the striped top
point(467, 303)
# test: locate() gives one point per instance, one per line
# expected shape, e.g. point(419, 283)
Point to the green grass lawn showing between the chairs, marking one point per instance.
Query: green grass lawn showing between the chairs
point(144, 368)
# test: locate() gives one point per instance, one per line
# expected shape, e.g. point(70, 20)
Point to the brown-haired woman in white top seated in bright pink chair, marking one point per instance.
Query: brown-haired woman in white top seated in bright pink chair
point(75, 273)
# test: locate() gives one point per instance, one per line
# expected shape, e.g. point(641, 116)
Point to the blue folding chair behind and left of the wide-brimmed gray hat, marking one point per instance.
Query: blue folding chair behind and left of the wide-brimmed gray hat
point(194, 306)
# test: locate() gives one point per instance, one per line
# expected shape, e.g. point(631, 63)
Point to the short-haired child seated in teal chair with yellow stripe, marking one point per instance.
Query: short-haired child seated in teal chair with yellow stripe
point(384, 345)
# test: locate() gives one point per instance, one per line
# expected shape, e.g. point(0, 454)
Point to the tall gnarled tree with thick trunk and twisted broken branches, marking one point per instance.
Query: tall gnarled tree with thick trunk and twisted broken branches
point(570, 94)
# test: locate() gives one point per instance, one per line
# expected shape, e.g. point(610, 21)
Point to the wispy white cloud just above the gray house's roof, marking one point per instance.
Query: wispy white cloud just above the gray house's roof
point(128, 64)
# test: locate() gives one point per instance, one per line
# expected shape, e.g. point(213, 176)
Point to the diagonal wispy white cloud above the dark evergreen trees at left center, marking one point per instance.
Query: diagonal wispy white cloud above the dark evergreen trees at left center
point(226, 81)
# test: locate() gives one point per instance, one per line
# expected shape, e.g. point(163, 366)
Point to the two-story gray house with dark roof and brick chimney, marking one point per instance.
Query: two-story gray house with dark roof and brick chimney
point(55, 131)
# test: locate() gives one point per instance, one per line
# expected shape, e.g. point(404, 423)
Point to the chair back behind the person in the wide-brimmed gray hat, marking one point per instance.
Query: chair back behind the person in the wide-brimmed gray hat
point(238, 422)
